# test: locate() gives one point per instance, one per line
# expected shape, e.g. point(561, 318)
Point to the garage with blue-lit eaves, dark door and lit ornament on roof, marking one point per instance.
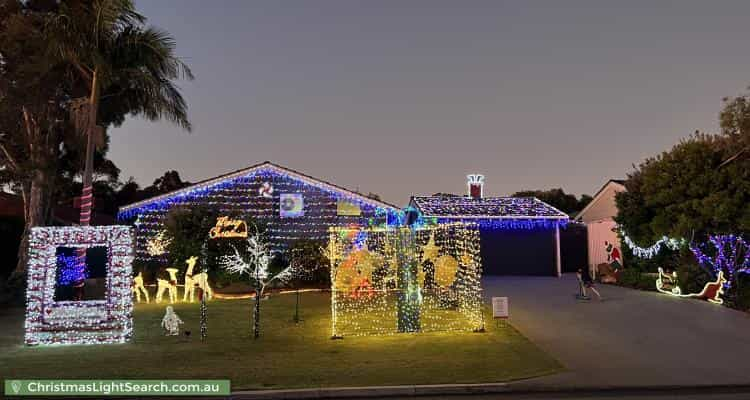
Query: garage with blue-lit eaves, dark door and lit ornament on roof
point(518, 235)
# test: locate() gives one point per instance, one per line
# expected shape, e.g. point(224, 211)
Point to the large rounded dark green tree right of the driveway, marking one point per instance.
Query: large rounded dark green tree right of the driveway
point(683, 193)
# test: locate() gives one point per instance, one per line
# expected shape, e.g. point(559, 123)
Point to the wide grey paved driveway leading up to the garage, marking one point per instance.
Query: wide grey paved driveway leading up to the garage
point(632, 338)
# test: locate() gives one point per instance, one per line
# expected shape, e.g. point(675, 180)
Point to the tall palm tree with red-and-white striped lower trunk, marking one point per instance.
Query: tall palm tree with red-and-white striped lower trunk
point(119, 59)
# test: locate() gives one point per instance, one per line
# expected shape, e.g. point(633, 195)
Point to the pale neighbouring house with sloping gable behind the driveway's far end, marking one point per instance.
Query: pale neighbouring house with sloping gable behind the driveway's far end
point(603, 241)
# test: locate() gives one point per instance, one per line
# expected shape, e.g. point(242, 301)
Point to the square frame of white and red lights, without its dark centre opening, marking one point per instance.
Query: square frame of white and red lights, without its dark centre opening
point(79, 322)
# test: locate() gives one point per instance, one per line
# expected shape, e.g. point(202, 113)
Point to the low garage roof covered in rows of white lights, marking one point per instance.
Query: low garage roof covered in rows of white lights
point(465, 207)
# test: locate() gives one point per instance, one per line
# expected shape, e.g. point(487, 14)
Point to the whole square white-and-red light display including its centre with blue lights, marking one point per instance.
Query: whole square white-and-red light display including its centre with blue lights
point(79, 285)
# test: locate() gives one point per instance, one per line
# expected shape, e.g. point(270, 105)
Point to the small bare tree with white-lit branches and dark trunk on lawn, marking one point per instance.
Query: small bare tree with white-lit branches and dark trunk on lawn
point(255, 264)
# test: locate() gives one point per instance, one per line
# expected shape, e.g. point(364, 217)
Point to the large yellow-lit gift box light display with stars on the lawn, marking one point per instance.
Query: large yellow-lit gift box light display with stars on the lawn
point(391, 280)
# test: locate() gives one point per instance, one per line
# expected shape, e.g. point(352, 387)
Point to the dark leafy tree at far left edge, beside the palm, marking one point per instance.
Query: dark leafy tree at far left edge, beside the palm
point(34, 128)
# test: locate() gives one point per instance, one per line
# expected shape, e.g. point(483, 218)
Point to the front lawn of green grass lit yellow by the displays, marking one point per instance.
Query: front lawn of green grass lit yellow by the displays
point(287, 355)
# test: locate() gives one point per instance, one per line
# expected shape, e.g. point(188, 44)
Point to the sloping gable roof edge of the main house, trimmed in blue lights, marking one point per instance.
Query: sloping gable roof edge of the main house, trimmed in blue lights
point(207, 185)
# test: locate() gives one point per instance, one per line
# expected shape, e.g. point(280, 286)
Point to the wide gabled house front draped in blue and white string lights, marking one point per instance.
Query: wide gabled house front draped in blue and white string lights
point(289, 204)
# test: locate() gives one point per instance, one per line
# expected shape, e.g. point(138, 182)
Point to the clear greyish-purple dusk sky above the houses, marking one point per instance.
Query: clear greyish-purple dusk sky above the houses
point(407, 97)
